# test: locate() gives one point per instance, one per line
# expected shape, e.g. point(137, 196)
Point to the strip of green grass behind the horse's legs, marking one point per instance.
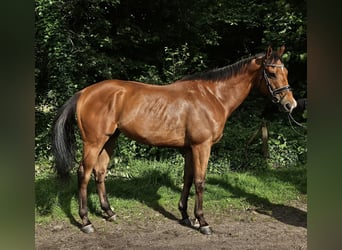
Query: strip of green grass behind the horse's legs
point(153, 189)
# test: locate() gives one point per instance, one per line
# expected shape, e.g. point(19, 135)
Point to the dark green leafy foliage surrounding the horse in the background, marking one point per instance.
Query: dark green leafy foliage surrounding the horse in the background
point(79, 43)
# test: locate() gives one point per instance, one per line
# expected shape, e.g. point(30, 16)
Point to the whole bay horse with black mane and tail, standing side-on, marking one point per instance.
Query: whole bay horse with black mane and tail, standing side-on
point(190, 113)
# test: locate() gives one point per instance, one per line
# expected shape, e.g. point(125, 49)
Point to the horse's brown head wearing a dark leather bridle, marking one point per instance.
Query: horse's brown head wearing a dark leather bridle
point(274, 81)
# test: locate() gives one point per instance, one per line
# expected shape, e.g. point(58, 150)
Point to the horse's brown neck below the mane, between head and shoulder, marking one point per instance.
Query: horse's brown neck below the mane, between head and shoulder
point(232, 92)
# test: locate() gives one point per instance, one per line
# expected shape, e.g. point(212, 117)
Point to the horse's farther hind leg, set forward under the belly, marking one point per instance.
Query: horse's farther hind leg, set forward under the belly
point(100, 171)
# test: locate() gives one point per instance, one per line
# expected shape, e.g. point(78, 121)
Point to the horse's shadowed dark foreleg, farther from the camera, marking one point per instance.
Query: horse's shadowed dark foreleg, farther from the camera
point(187, 182)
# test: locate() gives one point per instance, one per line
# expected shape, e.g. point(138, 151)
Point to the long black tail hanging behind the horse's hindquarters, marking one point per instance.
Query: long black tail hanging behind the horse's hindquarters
point(63, 137)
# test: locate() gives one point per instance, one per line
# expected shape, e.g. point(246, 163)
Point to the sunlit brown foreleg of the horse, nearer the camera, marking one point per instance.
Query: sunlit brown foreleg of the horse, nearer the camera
point(201, 155)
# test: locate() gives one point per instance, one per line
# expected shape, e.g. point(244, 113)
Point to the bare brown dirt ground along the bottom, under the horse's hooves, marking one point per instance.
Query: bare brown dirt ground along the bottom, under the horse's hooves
point(280, 227)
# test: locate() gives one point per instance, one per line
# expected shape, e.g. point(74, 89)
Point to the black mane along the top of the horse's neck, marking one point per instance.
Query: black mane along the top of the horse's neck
point(224, 72)
